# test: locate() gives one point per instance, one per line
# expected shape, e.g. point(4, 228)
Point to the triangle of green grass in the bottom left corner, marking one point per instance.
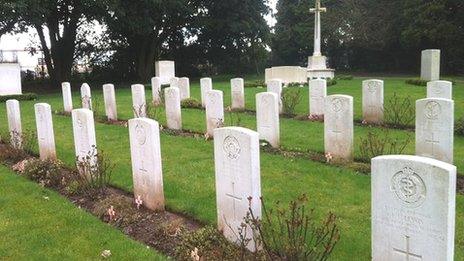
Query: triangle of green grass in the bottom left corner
point(37, 223)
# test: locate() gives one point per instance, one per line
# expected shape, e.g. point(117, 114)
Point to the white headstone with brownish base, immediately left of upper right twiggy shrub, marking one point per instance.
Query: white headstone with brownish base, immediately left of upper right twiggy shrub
point(372, 100)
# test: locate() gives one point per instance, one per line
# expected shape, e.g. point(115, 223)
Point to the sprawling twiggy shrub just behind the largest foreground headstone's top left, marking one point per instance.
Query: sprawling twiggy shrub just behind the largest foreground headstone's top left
point(376, 144)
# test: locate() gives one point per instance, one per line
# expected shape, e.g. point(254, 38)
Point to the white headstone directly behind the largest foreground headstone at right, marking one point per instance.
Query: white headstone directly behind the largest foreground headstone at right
point(435, 129)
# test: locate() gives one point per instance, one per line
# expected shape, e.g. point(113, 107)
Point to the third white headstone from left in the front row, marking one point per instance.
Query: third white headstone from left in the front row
point(85, 143)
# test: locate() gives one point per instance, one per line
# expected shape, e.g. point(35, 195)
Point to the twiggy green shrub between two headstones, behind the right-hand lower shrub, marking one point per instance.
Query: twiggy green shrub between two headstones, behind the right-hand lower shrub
point(399, 113)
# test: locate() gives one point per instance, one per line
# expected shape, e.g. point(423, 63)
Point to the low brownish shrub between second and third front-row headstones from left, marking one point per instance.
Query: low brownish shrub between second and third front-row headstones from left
point(46, 173)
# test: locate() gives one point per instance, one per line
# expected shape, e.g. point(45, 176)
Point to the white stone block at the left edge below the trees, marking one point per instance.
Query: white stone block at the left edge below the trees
point(10, 79)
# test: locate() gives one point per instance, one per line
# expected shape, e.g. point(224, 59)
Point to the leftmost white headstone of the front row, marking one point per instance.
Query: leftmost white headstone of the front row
point(14, 123)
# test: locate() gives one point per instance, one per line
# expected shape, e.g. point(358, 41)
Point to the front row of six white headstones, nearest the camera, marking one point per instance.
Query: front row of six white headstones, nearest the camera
point(413, 198)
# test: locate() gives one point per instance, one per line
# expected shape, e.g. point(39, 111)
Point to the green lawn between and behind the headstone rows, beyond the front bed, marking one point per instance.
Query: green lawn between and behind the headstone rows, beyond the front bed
point(189, 167)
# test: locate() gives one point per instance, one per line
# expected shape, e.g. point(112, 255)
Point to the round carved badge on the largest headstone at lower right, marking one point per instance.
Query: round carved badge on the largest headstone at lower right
point(409, 187)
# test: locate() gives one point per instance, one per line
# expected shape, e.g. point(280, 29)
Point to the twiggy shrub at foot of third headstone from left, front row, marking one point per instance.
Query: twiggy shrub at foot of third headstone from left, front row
point(95, 171)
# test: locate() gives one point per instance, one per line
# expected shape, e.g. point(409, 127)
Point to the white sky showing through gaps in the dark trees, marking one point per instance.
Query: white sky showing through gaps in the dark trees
point(21, 41)
